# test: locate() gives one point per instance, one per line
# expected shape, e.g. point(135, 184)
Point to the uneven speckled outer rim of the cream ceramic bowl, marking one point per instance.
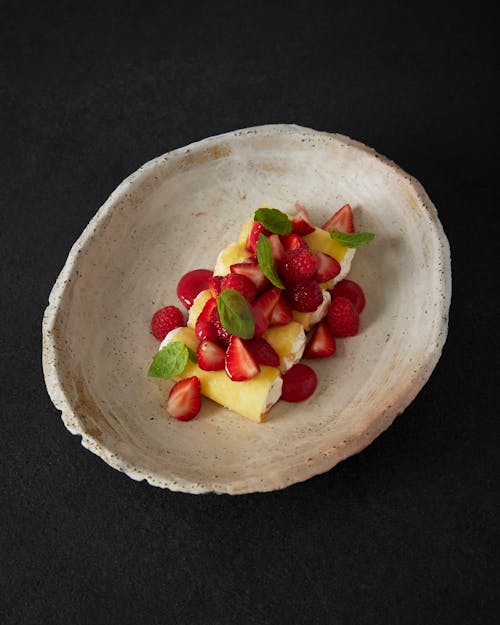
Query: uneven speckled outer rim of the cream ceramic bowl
point(295, 473)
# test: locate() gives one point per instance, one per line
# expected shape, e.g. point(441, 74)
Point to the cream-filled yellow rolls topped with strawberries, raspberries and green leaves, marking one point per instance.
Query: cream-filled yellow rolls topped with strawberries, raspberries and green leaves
point(276, 295)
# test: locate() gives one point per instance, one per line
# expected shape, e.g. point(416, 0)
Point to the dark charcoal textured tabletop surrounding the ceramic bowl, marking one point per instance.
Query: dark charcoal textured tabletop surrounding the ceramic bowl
point(404, 532)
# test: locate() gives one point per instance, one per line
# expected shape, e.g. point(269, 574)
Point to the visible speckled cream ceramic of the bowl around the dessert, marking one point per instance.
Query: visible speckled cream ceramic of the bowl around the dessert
point(175, 214)
